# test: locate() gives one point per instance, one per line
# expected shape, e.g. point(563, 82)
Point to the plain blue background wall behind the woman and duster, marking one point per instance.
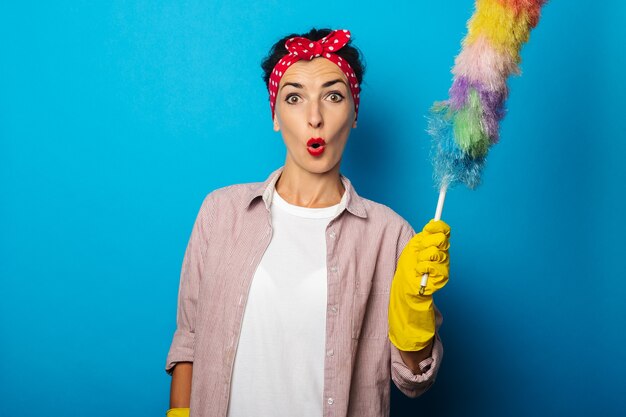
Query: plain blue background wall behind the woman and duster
point(118, 117)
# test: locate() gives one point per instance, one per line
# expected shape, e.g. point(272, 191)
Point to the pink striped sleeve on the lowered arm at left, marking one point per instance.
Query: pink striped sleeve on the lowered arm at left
point(182, 346)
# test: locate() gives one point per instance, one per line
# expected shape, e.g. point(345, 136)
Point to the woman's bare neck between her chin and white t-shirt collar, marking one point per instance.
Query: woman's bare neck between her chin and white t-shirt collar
point(308, 189)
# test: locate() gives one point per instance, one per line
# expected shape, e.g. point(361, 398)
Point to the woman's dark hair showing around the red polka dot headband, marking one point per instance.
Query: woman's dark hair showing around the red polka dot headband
point(348, 52)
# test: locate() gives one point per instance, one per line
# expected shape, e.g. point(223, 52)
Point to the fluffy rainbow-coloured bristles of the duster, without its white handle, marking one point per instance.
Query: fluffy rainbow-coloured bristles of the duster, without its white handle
point(466, 125)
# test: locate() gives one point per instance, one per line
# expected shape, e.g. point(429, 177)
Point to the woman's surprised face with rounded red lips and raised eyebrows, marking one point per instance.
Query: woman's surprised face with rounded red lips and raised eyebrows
point(314, 101)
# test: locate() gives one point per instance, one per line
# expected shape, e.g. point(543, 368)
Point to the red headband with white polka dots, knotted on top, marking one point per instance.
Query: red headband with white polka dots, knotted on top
point(303, 48)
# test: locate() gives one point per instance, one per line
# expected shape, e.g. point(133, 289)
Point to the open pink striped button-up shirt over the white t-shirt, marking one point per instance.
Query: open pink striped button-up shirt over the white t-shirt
point(231, 232)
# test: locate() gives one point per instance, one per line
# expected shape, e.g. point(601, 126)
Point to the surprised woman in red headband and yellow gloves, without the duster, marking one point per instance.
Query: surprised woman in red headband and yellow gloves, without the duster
point(286, 305)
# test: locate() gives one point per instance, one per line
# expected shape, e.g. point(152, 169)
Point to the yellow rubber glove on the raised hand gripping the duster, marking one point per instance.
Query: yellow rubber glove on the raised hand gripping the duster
point(411, 315)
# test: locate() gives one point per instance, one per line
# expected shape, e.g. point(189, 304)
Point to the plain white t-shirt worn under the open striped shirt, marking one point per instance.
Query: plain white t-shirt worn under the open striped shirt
point(279, 365)
